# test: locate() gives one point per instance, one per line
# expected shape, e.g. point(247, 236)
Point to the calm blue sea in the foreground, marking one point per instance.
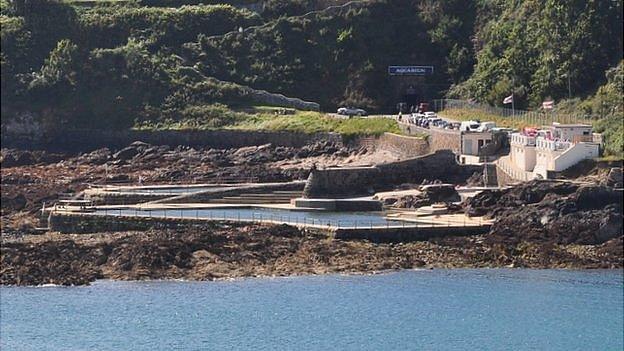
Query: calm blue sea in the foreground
point(481, 309)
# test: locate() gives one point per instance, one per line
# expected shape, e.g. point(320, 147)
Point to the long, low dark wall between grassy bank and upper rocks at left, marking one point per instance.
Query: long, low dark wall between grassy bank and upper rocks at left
point(86, 140)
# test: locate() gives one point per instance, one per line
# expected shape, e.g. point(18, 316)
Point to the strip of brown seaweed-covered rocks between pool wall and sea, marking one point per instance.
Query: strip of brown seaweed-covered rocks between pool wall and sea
point(217, 251)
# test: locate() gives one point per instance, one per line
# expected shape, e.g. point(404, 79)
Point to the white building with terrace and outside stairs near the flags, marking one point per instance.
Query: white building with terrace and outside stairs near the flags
point(552, 149)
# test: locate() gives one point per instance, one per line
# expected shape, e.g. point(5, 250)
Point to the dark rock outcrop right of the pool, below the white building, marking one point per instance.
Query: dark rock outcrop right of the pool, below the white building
point(561, 213)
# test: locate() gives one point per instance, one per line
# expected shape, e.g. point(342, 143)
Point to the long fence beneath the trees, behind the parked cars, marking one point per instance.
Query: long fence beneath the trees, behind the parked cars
point(531, 117)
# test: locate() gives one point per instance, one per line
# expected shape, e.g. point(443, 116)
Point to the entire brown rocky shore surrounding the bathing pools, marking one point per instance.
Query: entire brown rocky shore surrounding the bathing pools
point(537, 224)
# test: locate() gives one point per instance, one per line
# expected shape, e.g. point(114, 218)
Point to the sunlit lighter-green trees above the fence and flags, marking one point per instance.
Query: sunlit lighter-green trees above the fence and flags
point(536, 47)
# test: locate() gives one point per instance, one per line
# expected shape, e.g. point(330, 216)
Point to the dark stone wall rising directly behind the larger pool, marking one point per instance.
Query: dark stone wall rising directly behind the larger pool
point(343, 182)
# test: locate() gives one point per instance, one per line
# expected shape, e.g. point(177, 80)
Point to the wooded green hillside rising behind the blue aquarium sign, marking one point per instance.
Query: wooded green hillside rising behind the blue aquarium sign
point(116, 64)
